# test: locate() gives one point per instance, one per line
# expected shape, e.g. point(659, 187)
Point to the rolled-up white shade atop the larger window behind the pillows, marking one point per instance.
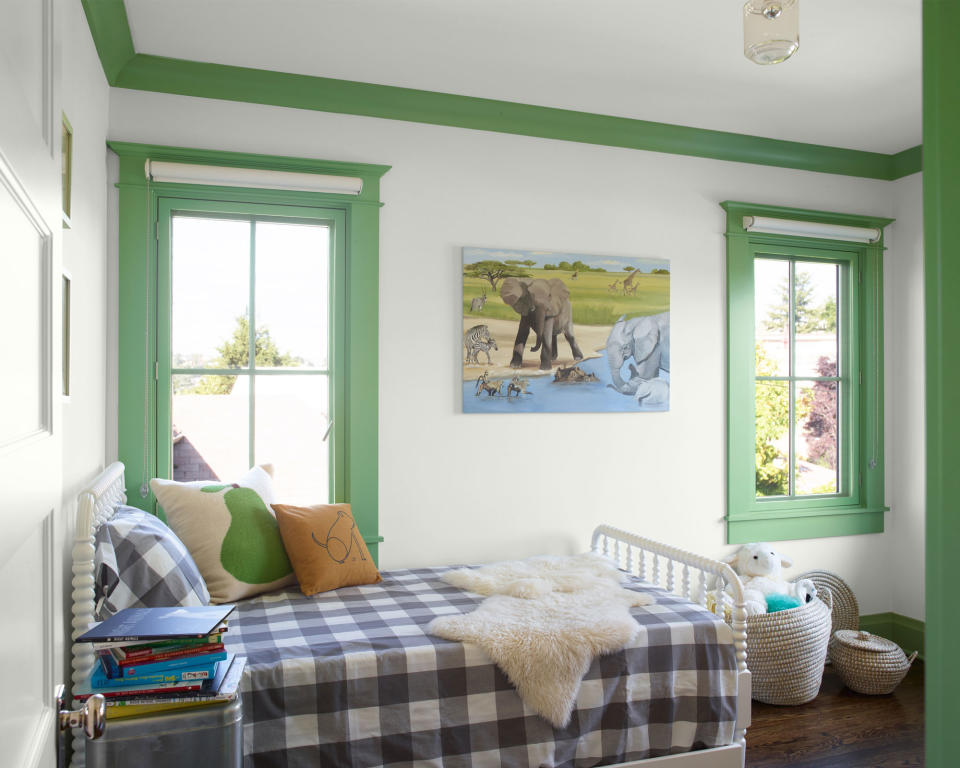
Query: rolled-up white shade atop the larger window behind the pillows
point(220, 176)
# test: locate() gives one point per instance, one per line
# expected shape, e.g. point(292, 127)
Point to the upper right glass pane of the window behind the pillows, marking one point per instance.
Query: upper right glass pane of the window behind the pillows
point(293, 295)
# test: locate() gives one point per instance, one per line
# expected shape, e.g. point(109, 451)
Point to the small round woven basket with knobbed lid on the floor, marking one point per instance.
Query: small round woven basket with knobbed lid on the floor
point(869, 663)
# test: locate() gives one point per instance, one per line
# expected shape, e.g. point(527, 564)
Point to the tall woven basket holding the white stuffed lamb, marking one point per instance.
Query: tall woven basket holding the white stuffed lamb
point(786, 651)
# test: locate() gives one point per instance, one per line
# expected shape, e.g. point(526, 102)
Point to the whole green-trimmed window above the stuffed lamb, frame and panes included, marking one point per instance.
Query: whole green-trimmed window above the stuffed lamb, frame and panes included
point(805, 385)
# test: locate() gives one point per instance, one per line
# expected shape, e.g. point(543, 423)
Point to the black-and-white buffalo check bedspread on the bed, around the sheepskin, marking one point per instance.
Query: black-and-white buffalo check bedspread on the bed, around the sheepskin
point(351, 678)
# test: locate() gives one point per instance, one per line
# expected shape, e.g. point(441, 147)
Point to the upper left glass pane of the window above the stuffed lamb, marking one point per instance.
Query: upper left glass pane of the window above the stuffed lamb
point(771, 284)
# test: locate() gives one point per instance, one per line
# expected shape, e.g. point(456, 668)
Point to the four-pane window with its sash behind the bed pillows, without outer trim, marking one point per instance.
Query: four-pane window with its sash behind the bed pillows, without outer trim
point(245, 357)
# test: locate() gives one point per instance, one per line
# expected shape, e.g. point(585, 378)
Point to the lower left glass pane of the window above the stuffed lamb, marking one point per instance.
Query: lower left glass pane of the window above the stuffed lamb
point(772, 437)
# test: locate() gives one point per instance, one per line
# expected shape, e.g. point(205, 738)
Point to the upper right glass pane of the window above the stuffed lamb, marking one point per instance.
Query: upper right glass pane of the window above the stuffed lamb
point(815, 318)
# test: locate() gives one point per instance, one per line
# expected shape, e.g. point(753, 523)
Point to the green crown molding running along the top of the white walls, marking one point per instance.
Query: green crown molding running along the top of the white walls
point(125, 69)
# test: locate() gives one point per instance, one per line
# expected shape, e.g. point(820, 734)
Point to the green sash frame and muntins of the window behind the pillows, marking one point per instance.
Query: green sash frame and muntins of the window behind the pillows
point(171, 207)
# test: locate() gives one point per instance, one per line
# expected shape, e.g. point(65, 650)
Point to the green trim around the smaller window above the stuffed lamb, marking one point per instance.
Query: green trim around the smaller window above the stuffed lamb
point(859, 506)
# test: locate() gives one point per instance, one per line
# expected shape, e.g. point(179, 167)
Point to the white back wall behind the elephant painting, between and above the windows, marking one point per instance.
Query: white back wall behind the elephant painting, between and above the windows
point(458, 488)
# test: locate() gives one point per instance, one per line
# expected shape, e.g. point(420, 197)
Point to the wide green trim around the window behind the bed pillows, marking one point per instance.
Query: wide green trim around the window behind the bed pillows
point(354, 346)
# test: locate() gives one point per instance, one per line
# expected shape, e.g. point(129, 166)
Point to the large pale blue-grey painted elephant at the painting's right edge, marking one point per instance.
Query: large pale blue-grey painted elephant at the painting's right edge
point(647, 341)
